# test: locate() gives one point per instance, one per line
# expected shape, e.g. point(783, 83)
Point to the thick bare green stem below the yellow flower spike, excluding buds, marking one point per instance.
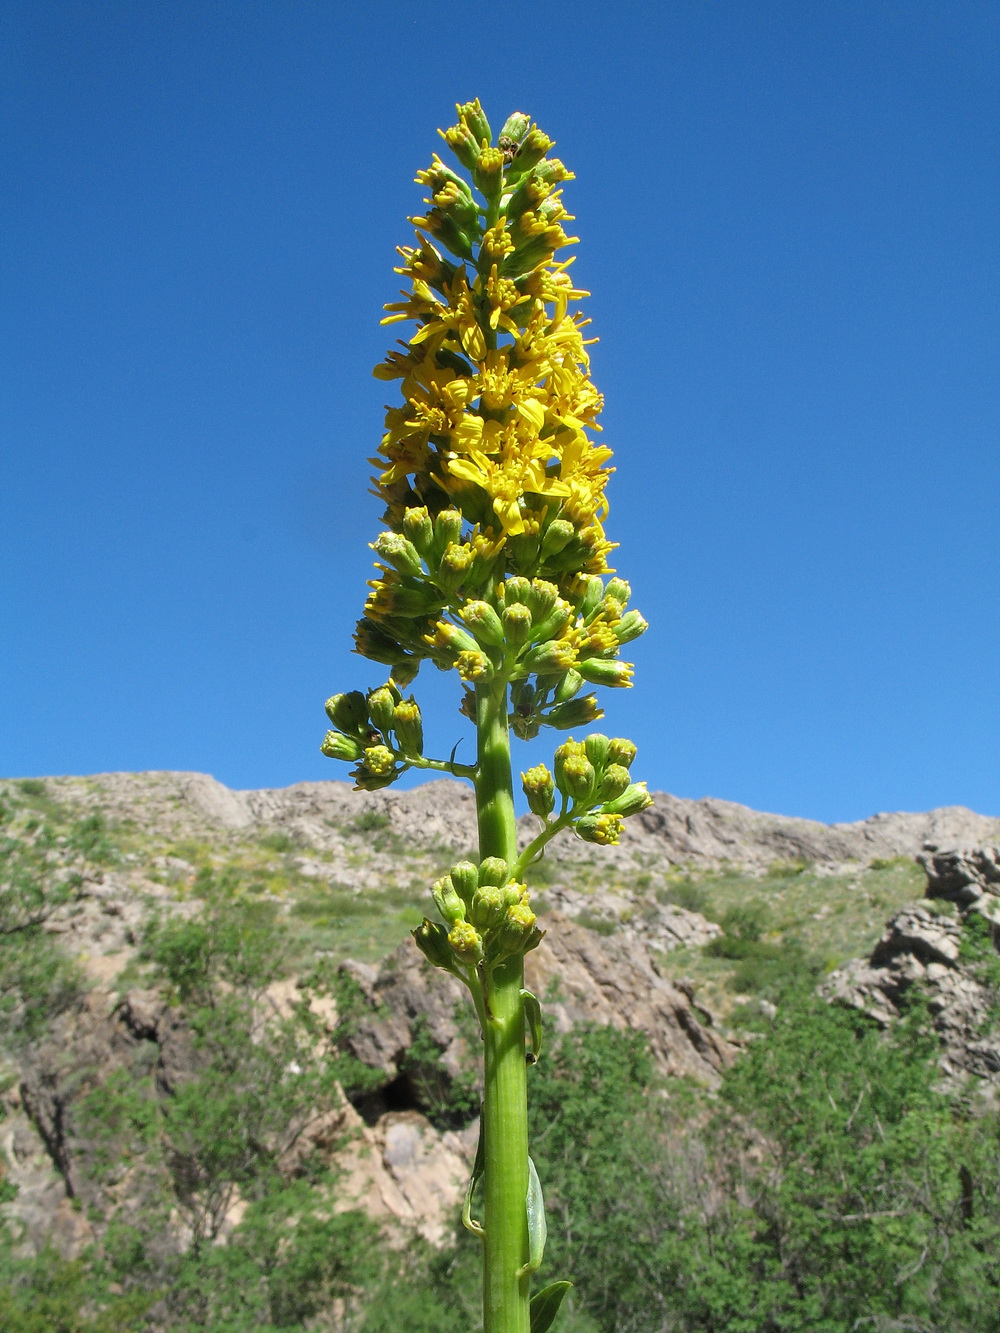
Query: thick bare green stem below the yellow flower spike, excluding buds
point(505, 1098)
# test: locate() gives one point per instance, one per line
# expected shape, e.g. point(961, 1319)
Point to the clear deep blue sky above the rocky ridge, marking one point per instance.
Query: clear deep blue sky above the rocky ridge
point(789, 222)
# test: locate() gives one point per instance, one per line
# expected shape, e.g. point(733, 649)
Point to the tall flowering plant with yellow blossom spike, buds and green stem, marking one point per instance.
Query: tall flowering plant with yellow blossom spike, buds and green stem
point(494, 563)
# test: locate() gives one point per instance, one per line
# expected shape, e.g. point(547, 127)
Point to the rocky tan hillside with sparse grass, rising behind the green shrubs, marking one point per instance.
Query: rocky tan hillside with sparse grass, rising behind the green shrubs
point(637, 939)
